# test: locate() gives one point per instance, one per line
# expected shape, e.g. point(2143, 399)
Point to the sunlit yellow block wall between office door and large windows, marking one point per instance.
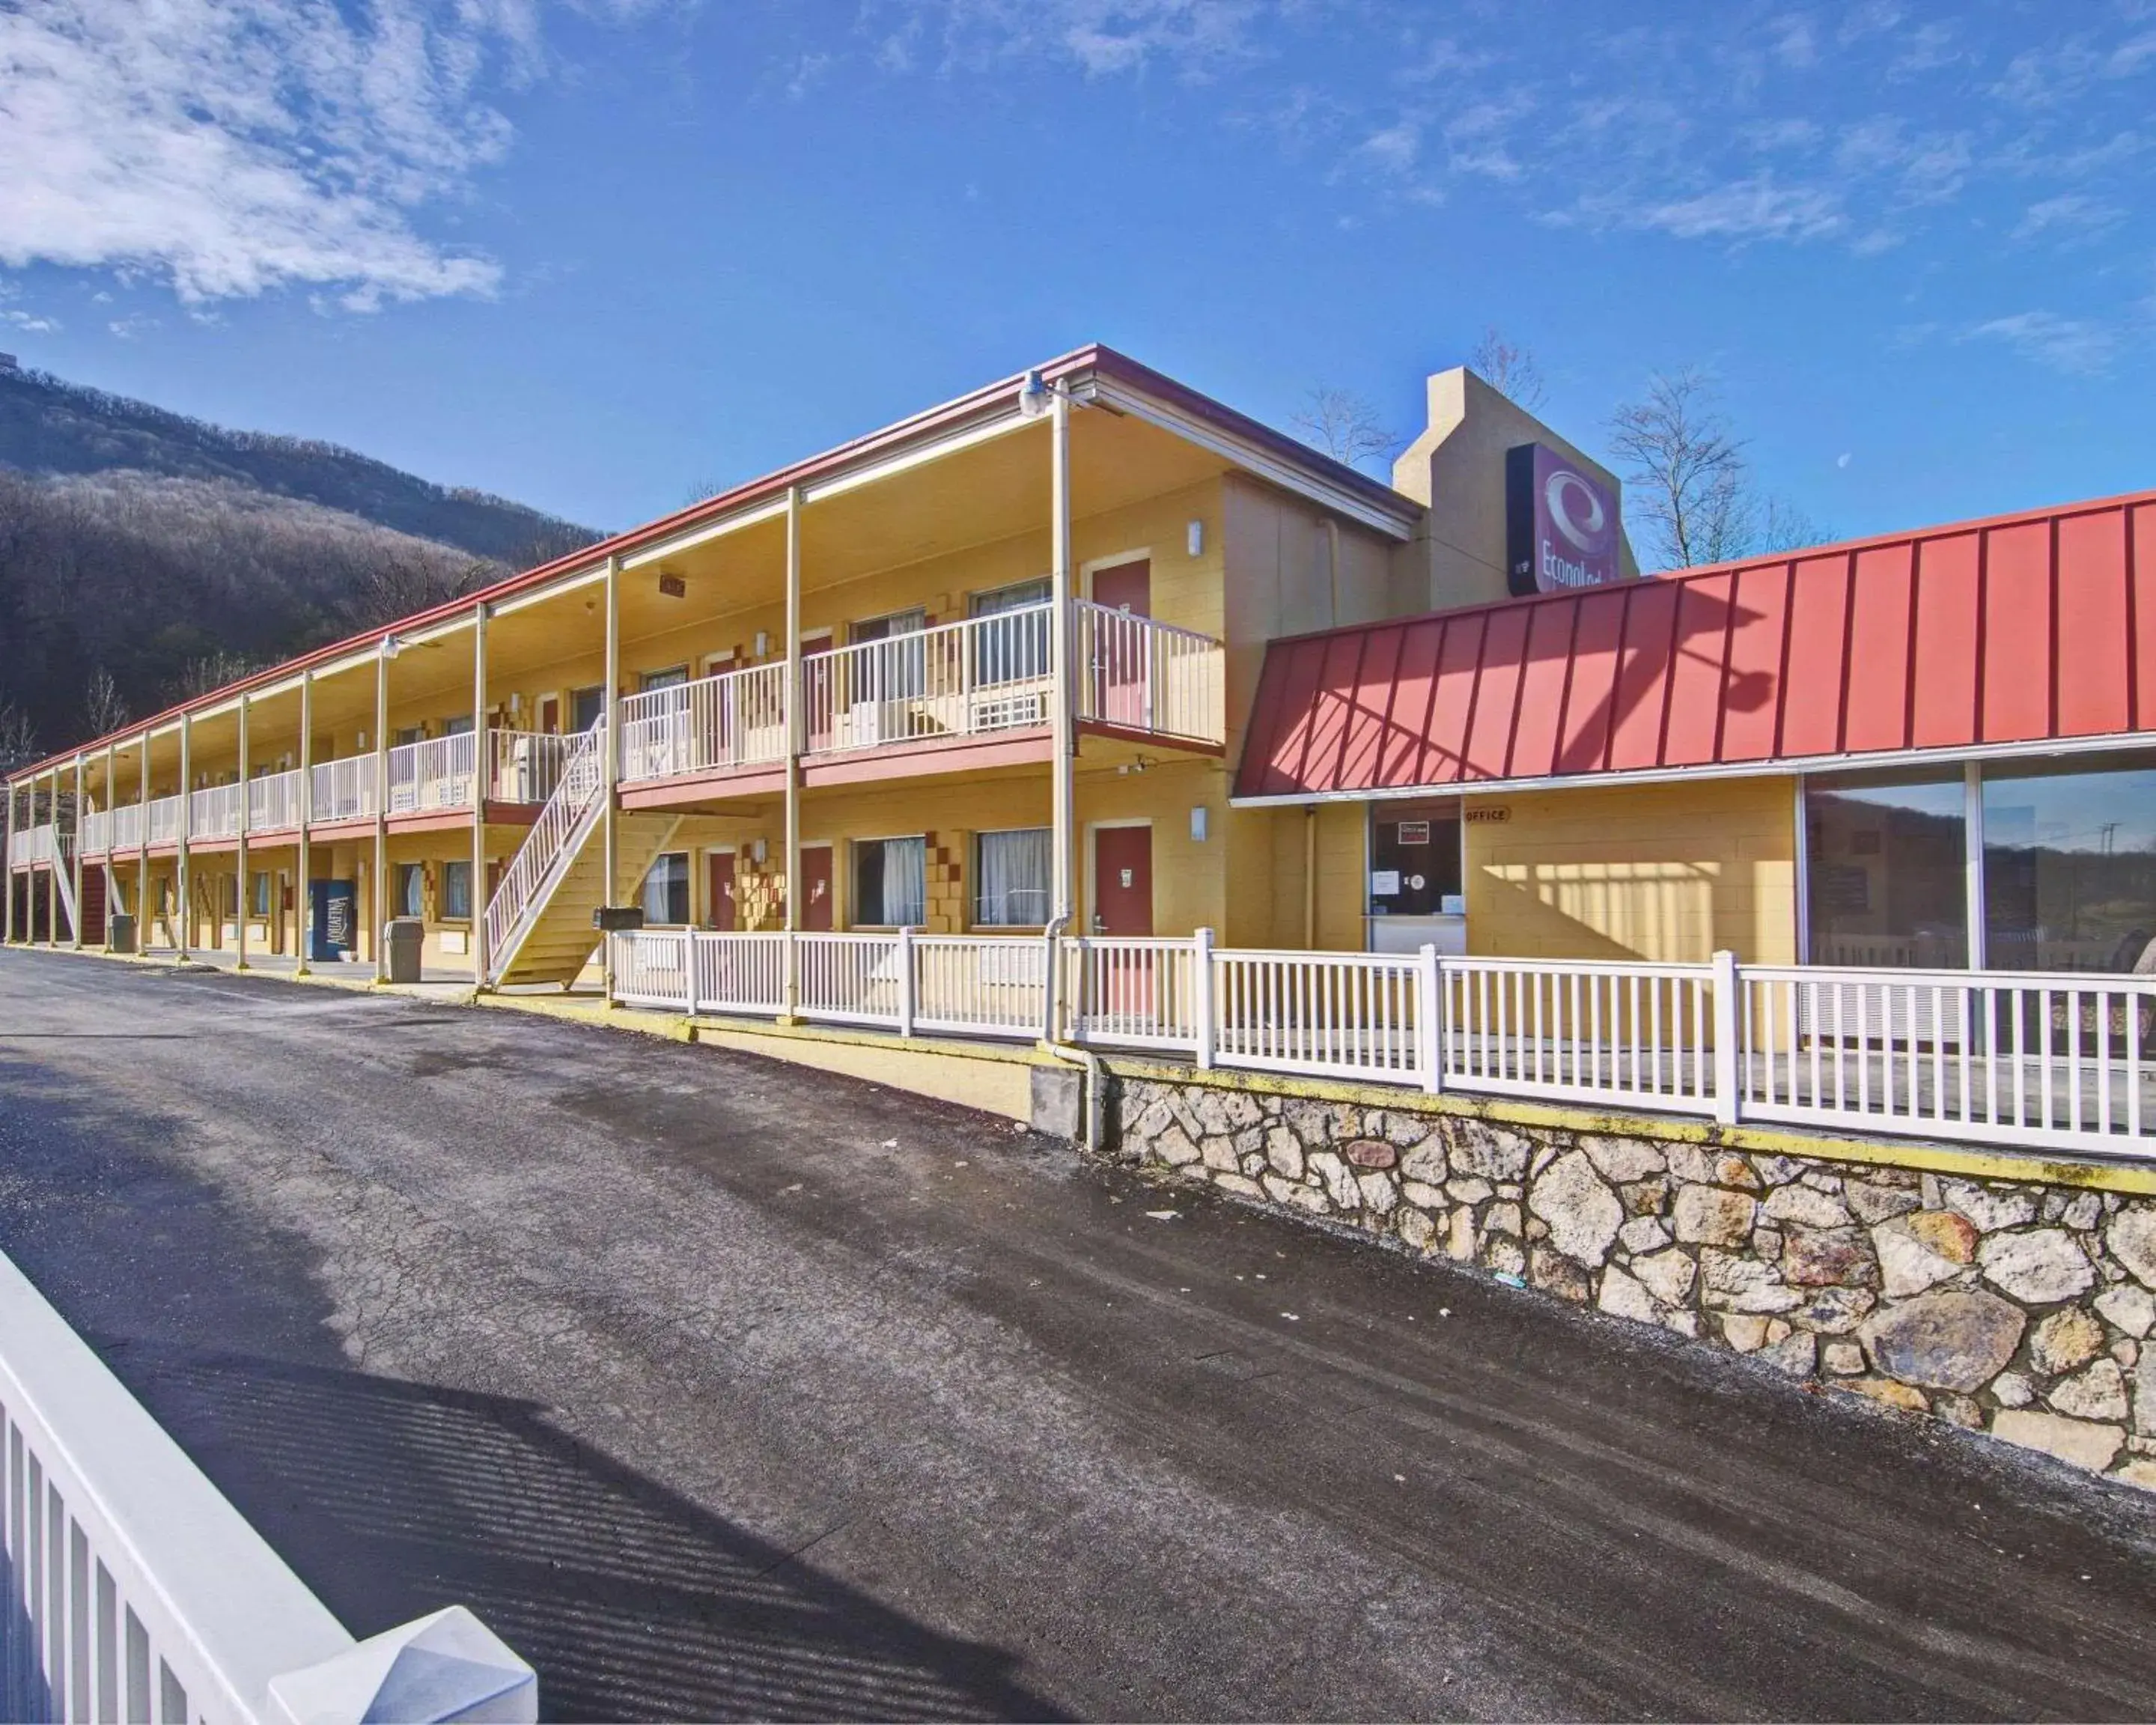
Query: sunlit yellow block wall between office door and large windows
point(1657, 872)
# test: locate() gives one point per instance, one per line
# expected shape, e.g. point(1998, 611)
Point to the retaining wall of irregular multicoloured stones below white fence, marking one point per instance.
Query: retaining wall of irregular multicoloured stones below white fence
point(2013, 1308)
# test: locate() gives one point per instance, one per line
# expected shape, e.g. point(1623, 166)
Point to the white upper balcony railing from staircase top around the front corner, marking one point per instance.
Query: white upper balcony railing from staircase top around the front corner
point(963, 695)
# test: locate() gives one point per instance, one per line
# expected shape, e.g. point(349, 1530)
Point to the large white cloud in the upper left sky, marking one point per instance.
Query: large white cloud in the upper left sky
point(234, 148)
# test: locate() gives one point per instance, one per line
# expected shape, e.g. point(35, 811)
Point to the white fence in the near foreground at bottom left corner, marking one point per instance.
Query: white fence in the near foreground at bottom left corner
point(135, 1590)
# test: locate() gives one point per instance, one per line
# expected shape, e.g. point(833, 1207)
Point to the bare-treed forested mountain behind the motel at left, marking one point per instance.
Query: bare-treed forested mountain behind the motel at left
point(146, 555)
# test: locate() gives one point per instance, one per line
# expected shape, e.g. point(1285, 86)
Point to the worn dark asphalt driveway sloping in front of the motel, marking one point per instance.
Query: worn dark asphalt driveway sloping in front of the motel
point(717, 1403)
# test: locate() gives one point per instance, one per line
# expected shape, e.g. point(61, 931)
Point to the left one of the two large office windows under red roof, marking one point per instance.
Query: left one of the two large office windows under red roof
point(1890, 870)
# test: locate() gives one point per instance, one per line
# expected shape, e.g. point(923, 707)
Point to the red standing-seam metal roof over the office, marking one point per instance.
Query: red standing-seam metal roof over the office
point(2002, 631)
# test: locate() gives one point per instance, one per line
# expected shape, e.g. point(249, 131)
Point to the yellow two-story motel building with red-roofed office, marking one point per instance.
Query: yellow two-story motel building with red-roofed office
point(1090, 650)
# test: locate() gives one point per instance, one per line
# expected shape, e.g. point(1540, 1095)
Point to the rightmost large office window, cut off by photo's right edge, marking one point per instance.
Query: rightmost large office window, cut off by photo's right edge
point(2071, 866)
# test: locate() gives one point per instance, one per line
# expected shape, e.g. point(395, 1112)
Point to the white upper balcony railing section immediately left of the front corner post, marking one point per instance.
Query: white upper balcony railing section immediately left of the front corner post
point(958, 680)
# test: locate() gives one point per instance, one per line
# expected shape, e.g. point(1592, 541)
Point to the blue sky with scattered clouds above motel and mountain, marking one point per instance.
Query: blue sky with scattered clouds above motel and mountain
point(600, 256)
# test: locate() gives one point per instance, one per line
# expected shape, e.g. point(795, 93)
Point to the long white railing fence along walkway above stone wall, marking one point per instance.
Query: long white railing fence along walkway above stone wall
point(2002, 1058)
